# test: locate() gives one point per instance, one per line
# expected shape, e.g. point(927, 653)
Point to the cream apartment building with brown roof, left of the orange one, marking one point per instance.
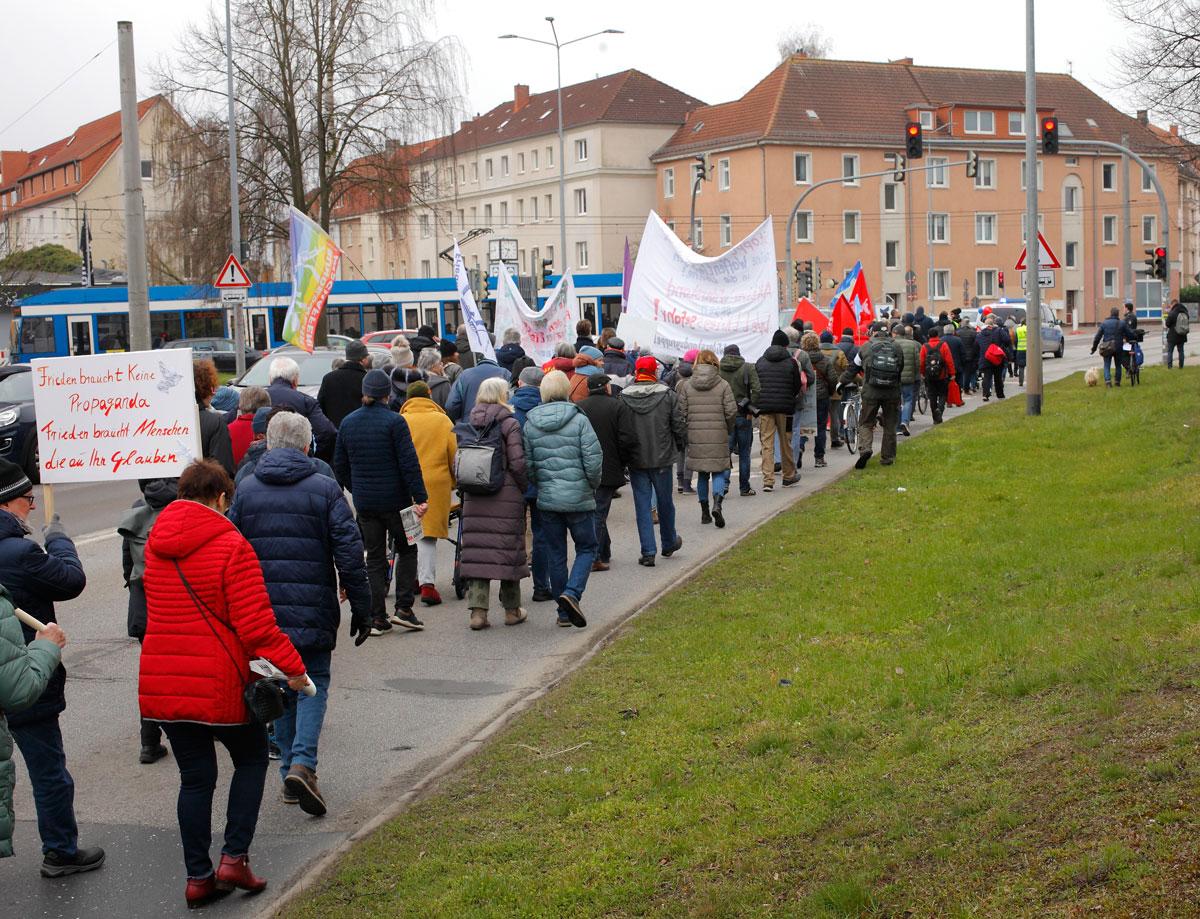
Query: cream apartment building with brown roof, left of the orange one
point(501, 172)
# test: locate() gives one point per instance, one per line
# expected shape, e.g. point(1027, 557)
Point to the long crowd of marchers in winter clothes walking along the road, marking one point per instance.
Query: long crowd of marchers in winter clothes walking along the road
point(255, 549)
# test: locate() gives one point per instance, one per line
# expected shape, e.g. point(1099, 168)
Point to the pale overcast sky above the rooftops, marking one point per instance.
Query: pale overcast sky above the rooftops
point(713, 51)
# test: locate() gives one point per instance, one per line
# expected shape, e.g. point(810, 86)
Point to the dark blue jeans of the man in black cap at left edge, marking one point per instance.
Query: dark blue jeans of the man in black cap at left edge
point(41, 747)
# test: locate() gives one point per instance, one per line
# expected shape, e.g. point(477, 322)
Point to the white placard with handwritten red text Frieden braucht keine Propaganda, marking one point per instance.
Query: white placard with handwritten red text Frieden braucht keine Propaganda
point(109, 417)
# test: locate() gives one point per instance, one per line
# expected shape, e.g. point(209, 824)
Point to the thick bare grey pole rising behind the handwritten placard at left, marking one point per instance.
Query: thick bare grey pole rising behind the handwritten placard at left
point(135, 208)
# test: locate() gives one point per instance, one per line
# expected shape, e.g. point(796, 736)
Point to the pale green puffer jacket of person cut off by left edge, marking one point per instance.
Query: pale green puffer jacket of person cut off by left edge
point(25, 672)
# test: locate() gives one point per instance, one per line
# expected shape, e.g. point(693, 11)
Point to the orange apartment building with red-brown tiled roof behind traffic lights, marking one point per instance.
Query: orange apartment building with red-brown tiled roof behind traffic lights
point(938, 238)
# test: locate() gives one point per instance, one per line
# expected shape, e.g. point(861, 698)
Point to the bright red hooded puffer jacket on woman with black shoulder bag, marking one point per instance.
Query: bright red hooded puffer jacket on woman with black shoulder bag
point(187, 675)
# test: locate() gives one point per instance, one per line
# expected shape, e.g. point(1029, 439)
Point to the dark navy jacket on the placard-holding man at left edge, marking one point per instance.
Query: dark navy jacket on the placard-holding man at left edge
point(38, 578)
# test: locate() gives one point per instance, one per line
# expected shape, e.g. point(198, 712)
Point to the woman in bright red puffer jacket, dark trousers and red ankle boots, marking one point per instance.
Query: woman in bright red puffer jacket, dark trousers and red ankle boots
point(208, 616)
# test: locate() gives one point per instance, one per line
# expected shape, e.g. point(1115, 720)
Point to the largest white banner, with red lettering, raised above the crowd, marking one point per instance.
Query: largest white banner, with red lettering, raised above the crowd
point(680, 299)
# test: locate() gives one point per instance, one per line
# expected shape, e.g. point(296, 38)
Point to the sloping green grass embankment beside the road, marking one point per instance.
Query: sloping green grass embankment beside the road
point(977, 696)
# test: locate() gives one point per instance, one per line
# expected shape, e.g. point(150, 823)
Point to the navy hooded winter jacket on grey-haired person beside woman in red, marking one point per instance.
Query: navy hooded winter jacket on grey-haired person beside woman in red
point(303, 530)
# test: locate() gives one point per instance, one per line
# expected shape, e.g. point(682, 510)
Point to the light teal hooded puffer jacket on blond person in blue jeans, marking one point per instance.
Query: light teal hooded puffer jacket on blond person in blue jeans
point(563, 458)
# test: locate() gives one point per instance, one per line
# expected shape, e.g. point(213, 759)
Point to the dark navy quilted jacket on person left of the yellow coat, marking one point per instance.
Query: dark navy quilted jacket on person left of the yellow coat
point(376, 461)
